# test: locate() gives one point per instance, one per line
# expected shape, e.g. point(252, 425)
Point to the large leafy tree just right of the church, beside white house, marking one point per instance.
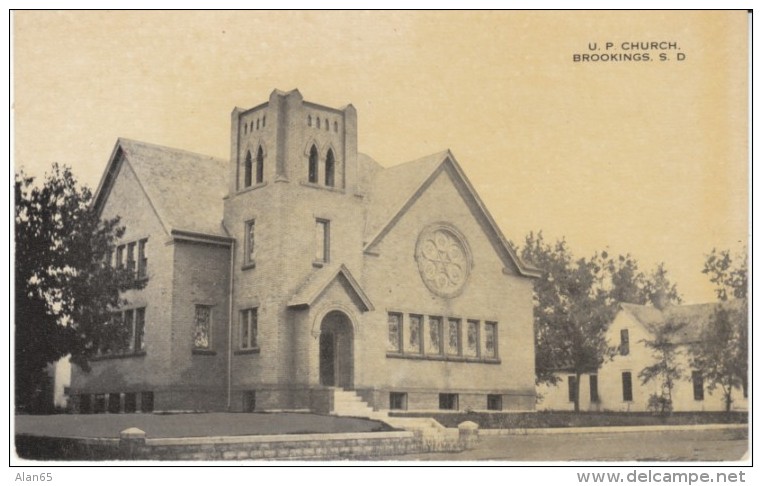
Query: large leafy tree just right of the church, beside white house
point(572, 310)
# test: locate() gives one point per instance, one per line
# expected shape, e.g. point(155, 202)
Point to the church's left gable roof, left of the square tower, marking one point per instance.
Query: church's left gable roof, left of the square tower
point(185, 189)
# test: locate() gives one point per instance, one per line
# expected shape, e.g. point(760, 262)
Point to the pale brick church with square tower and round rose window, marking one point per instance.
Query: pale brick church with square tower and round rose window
point(300, 267)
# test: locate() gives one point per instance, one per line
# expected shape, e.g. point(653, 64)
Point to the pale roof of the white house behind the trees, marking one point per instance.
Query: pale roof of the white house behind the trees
point(695, 317)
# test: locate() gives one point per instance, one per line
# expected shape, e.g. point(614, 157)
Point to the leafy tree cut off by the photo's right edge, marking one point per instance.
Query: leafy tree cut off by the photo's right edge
point(722, 352)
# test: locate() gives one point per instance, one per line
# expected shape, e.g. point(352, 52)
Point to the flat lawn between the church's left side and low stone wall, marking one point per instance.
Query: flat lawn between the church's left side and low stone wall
point(192, 425)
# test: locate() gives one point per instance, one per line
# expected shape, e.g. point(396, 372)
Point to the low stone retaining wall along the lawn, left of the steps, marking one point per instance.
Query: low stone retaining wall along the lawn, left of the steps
point(304, 447)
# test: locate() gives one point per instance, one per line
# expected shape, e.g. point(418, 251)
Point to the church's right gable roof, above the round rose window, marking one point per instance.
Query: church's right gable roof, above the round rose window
point(394, 190)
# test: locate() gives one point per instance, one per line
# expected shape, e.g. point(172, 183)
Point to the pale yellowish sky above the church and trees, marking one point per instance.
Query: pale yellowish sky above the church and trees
point(649, 158)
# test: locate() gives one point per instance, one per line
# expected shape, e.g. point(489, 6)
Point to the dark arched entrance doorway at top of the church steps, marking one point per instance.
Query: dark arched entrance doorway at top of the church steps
point(336, 350)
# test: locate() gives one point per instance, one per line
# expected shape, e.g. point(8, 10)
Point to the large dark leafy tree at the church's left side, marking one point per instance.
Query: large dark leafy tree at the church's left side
point(65, 287)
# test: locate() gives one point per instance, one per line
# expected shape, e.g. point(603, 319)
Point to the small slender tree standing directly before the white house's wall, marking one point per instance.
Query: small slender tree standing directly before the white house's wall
point(666, 370)
